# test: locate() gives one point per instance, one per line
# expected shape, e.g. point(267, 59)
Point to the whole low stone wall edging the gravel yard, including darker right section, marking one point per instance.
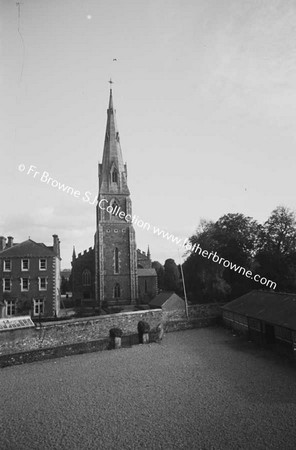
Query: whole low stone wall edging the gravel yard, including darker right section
point(91, 329)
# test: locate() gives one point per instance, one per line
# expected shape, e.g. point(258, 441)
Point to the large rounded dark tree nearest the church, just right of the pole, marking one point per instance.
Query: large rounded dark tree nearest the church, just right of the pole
point(234, 237)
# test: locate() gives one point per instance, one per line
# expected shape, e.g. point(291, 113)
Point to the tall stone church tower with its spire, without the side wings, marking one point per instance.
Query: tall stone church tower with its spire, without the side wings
point(115, 244)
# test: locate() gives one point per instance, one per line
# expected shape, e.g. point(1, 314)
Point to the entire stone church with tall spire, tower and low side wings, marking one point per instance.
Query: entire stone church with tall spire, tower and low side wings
point(113, 272)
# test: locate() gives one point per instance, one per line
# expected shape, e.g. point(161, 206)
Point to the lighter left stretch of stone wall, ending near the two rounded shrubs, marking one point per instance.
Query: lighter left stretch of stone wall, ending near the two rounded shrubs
point(55, 334)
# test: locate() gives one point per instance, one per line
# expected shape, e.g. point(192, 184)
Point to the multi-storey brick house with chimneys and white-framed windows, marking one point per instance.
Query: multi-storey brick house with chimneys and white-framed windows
point(30, 274)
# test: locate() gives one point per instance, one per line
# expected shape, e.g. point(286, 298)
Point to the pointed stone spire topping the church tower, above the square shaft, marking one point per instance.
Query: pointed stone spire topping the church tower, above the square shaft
point(112, 171)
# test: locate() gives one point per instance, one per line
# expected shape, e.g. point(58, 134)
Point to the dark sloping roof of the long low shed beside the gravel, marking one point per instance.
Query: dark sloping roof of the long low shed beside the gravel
point(277, 308)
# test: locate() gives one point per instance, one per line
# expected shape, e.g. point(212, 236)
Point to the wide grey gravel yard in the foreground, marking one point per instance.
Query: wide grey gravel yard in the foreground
point(198, 389)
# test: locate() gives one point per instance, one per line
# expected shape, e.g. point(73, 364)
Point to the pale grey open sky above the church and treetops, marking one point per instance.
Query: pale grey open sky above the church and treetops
point(204, 92)
